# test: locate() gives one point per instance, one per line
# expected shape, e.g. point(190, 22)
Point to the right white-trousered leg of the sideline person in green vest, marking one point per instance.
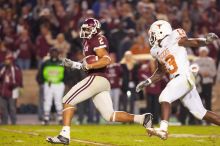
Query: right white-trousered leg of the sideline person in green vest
point(58, 94)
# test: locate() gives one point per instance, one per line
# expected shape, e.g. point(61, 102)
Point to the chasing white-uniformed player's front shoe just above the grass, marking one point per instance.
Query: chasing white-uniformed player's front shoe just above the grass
point(157, 132)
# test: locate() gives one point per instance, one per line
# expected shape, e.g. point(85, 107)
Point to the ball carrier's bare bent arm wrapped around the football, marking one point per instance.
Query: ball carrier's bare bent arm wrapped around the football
point(103, 61)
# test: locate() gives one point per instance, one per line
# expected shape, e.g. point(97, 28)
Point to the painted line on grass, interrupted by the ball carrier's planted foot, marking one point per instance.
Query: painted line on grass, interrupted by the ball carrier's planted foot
point(72, 139)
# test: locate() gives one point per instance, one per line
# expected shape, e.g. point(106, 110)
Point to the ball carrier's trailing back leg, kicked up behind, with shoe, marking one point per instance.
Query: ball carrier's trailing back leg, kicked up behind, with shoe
point(103, 103)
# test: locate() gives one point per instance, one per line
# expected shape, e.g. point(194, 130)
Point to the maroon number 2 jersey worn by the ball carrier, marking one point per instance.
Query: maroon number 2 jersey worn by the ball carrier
point(98, 41)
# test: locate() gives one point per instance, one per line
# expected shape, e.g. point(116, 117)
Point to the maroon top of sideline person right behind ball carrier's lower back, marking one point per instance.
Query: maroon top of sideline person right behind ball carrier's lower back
point(114, 75)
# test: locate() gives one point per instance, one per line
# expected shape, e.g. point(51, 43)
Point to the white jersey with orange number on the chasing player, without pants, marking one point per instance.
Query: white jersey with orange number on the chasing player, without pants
point(173, 56)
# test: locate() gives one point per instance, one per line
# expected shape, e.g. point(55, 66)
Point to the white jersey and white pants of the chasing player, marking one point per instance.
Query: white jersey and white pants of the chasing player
point(175, 60)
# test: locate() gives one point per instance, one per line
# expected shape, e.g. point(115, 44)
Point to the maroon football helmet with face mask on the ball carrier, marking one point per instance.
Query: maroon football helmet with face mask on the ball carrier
point(90, 27)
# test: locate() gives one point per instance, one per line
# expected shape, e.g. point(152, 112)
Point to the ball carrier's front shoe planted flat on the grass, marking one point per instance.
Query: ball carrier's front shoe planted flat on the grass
point(58, 140)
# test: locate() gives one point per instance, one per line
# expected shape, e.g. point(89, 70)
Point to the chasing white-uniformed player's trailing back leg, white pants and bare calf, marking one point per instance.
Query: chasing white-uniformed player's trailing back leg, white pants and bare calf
point(193, 102)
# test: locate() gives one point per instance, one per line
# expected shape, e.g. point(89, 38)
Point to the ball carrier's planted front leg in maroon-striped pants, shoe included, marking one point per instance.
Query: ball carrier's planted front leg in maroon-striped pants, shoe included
point(82, 91)
